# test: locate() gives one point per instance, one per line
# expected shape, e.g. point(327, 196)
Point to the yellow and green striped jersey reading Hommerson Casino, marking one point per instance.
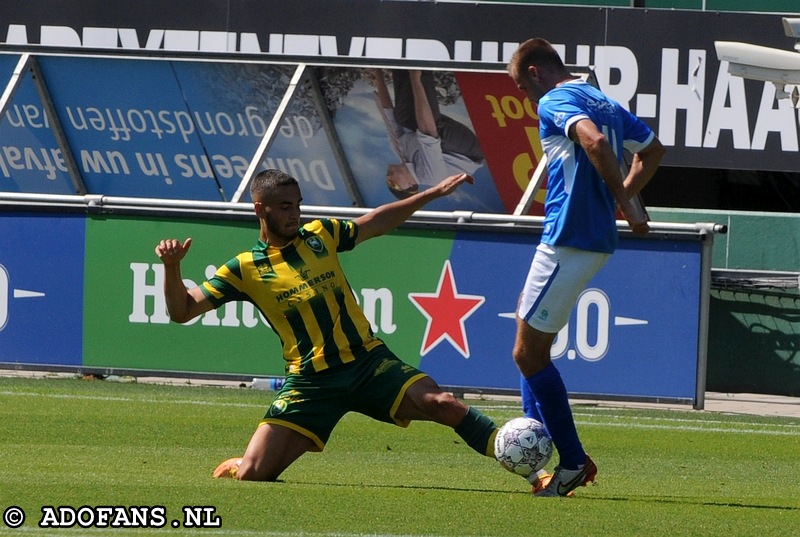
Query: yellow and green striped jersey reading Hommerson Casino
point(303, 293)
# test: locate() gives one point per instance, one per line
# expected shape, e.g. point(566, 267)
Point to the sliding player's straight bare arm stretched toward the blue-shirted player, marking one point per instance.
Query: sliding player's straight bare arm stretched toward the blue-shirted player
point(387, 217)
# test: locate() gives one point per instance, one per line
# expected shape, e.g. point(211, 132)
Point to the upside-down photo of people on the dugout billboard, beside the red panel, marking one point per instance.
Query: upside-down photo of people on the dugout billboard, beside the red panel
point(392, 152)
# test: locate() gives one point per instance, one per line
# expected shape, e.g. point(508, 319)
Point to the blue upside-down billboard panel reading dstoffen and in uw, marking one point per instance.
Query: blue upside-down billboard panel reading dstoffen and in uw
point(128, 132)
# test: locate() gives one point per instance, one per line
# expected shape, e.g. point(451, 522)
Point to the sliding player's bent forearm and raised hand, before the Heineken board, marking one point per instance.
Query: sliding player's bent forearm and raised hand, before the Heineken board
point(183, 304)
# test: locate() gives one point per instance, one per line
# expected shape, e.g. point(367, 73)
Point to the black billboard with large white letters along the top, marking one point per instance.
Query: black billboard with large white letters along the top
point(662, 64)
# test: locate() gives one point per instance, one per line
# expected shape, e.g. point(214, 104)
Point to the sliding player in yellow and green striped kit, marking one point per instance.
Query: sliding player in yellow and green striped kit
point(334, 363)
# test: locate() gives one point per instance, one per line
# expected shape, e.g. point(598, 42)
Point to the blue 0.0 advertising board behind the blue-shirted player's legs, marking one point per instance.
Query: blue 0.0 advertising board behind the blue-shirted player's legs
point(633, 332)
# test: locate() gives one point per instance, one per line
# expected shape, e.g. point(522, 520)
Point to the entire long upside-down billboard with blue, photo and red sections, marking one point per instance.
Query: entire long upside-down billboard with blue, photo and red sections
point(190, 130)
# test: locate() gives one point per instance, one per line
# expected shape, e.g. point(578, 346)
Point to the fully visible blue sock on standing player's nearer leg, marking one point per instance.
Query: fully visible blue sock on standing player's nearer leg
point(547, 388)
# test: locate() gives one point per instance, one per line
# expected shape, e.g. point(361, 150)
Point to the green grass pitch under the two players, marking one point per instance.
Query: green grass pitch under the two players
point(69, 442)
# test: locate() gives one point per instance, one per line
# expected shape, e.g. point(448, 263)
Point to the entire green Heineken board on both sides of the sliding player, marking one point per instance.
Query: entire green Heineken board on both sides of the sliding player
point(126, 323)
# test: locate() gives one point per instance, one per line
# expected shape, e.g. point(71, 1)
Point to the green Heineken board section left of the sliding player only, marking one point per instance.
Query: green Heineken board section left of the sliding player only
point(126, 323)
